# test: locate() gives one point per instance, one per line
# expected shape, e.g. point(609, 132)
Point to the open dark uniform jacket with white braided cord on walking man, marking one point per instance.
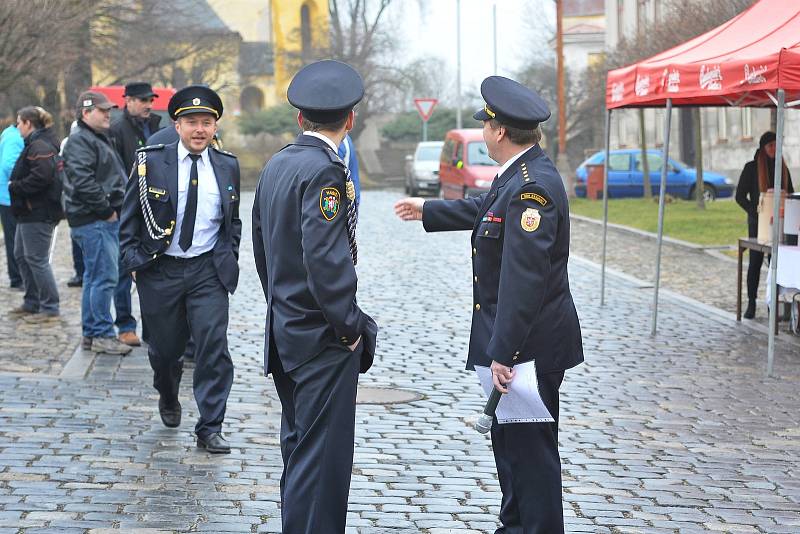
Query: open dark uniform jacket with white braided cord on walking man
point(139, 250)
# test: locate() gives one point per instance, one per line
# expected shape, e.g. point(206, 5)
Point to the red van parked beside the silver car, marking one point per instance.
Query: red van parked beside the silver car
point(465, 168)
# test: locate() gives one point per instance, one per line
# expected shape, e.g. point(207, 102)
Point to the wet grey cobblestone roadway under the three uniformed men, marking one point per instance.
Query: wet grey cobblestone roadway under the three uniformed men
point(678, 433)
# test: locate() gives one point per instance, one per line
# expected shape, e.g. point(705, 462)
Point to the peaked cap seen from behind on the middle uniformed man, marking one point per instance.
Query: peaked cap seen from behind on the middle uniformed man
point(326, 91)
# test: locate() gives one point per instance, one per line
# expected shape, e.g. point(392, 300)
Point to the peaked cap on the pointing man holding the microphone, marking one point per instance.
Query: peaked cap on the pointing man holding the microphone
point(512, 104)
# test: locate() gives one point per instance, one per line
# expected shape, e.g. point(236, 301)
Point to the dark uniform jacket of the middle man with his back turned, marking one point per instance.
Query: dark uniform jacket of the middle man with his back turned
point(303, 257)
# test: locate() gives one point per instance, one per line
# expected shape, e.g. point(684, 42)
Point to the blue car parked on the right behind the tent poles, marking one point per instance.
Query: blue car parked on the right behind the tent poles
point(625, 176)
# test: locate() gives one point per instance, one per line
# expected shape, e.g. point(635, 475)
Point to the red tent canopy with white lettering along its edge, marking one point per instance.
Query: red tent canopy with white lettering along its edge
point(740, 63)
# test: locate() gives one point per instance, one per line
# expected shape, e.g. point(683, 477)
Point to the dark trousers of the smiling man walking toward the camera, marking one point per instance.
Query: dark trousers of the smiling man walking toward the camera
point(178, 298)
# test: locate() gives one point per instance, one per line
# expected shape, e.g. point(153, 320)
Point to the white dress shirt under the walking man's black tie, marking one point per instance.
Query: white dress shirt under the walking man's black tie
point(209, 205)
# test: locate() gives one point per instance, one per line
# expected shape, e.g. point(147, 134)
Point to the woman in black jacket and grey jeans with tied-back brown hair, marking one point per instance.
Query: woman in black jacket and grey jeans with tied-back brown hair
point(36, 203)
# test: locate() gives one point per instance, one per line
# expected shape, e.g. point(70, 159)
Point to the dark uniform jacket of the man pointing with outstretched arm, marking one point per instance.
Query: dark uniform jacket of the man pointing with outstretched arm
point(522, 307)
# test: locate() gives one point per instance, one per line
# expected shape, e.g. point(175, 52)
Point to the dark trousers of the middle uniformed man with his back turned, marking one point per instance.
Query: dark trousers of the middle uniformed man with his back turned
point(318, 402)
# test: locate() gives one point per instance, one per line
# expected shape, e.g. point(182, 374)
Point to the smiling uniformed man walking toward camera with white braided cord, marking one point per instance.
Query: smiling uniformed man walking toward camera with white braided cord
point(180, 234)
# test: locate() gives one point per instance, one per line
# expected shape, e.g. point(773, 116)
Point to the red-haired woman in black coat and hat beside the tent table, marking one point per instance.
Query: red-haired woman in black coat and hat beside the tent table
point(757, 176)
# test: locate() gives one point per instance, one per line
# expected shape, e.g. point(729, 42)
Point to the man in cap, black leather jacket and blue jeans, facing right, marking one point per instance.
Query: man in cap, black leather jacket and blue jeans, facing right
point(93, 197)
